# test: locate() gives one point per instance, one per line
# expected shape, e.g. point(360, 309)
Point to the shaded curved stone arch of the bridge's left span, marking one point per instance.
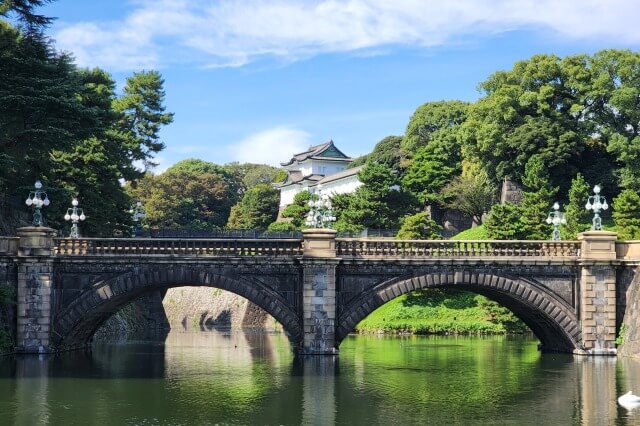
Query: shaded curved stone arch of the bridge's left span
point(76, 324)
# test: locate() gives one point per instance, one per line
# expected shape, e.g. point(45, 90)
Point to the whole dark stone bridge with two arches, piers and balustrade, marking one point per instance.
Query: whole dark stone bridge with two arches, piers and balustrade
point(570, 293)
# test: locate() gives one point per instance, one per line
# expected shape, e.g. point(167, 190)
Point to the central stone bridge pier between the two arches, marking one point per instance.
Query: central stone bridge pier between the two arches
point(319, 264)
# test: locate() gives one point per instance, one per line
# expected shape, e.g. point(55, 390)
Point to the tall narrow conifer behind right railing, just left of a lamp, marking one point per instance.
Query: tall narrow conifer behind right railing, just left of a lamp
point(537, 200)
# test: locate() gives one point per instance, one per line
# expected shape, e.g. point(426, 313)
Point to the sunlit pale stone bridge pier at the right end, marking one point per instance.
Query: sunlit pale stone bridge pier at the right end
point(598, 293)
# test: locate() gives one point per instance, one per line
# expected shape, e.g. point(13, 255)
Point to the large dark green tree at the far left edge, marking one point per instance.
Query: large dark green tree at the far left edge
point(40, 110)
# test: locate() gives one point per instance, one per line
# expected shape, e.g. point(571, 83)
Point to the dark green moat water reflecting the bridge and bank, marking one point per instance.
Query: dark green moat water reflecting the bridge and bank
point(252, 378)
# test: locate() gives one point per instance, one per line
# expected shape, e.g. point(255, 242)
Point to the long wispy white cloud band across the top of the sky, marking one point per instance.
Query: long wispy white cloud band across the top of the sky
point(218, 33)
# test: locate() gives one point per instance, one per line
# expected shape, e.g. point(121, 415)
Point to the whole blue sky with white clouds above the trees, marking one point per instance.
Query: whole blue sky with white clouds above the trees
point(256, 81)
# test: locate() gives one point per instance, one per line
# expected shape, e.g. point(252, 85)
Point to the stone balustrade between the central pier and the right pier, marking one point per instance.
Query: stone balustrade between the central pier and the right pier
point(347, 247)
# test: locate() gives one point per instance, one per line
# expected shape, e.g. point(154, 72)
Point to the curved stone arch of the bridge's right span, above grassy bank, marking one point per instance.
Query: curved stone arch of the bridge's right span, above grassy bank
point(550, 318)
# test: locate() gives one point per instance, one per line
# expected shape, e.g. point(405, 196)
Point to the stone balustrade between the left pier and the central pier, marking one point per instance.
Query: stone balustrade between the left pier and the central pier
point(177, 247)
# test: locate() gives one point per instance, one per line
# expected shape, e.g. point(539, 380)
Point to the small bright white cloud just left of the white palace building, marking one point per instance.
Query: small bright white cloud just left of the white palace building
point(271, 146)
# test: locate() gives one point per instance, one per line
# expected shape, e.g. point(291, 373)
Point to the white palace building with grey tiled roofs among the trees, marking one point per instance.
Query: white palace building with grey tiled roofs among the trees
point(320, 169)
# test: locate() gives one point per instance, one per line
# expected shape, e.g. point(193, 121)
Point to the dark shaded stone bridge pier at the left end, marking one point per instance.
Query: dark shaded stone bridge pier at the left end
point(35, 279)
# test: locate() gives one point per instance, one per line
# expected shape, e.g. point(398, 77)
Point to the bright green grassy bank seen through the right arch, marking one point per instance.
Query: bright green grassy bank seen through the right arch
point(442, 311)
